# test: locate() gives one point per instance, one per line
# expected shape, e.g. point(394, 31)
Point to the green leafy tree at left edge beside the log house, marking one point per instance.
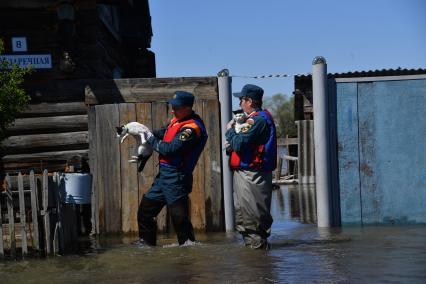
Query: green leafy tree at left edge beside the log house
point(13, 98)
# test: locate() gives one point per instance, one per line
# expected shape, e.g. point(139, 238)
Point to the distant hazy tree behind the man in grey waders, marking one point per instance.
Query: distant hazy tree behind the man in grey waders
point(282, 109)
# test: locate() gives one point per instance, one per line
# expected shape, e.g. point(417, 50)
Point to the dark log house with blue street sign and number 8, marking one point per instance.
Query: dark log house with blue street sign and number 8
point(69, 42)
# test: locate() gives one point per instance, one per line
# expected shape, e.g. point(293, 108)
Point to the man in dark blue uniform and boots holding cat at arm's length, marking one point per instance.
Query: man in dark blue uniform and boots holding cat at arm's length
point(179, 146)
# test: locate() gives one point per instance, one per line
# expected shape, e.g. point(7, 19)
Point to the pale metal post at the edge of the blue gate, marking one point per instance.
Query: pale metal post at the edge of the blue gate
point(322, 146)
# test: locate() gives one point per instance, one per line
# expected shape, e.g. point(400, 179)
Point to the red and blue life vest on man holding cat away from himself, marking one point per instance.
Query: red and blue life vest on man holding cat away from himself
point(185, 161)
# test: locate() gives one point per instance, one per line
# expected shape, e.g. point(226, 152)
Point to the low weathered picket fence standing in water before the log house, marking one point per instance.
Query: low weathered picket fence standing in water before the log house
point(32, 216)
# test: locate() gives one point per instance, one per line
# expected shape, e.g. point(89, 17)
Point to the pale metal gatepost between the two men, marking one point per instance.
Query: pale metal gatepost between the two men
point(225, 100)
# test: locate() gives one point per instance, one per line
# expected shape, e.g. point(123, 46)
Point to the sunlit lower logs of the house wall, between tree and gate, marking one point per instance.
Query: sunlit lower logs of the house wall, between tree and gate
point(46, 136)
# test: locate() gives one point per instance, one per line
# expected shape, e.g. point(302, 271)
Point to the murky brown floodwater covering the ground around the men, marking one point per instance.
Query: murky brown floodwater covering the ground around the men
point(300, 253)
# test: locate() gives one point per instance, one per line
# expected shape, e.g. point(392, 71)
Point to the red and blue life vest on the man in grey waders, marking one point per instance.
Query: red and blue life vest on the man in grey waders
point(258, 157)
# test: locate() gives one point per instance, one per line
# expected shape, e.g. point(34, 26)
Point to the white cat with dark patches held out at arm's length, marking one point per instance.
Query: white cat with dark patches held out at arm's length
point(138, 131)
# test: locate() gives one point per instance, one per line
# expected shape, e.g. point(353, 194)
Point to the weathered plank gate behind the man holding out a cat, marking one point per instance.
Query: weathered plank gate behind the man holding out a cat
point(118, 187)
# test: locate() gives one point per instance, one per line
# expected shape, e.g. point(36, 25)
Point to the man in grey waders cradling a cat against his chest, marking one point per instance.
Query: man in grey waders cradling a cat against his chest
point(253, 158)
